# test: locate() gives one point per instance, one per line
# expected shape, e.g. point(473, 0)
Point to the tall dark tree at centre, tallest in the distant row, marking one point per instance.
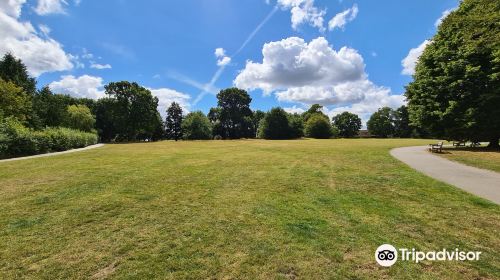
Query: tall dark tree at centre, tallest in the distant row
point(233, 115)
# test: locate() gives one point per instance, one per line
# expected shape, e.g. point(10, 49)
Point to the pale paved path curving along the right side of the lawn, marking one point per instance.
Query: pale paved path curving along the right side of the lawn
point(483, 183)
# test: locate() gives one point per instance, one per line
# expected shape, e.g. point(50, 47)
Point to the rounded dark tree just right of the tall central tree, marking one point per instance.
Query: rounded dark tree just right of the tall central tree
point(275, 125)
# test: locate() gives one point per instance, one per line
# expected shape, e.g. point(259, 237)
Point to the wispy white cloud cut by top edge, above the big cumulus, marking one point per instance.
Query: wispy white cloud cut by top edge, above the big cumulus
point(304, 11)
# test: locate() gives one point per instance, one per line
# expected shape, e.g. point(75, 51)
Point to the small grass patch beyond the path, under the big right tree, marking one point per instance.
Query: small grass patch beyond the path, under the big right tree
point(477, 157)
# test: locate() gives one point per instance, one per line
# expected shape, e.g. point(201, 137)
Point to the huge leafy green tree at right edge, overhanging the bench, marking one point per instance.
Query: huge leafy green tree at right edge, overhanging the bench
point(456, 89)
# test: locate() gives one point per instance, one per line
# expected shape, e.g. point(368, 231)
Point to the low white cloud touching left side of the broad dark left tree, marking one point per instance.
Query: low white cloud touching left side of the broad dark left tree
point(82, 87)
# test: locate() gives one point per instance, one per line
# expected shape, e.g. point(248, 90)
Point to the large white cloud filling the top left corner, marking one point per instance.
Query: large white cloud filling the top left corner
point(40, 53)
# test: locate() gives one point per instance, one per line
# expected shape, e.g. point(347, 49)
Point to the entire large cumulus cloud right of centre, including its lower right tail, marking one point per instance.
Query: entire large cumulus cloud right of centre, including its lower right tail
point(308, 73)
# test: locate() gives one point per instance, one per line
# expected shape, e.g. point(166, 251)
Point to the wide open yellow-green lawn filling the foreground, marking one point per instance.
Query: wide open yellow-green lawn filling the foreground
point(305, 209)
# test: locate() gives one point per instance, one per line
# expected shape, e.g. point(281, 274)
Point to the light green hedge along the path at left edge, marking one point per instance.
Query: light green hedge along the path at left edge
point(17, 140)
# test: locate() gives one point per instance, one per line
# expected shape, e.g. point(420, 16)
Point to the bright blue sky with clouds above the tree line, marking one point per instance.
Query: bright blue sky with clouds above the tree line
point(76, 46)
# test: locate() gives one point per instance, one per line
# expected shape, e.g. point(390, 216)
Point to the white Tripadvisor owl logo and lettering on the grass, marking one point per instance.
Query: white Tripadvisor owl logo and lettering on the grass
point(387, 255)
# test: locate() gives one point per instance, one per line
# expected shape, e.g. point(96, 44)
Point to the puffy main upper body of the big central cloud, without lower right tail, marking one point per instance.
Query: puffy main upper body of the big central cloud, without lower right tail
point(293, 63)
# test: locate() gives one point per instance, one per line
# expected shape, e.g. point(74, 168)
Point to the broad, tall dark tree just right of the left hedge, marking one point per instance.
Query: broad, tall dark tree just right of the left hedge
point(129, 114)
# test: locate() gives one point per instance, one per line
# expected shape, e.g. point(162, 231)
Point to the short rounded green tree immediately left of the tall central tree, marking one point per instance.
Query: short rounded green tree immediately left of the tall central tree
point(196, 126)
